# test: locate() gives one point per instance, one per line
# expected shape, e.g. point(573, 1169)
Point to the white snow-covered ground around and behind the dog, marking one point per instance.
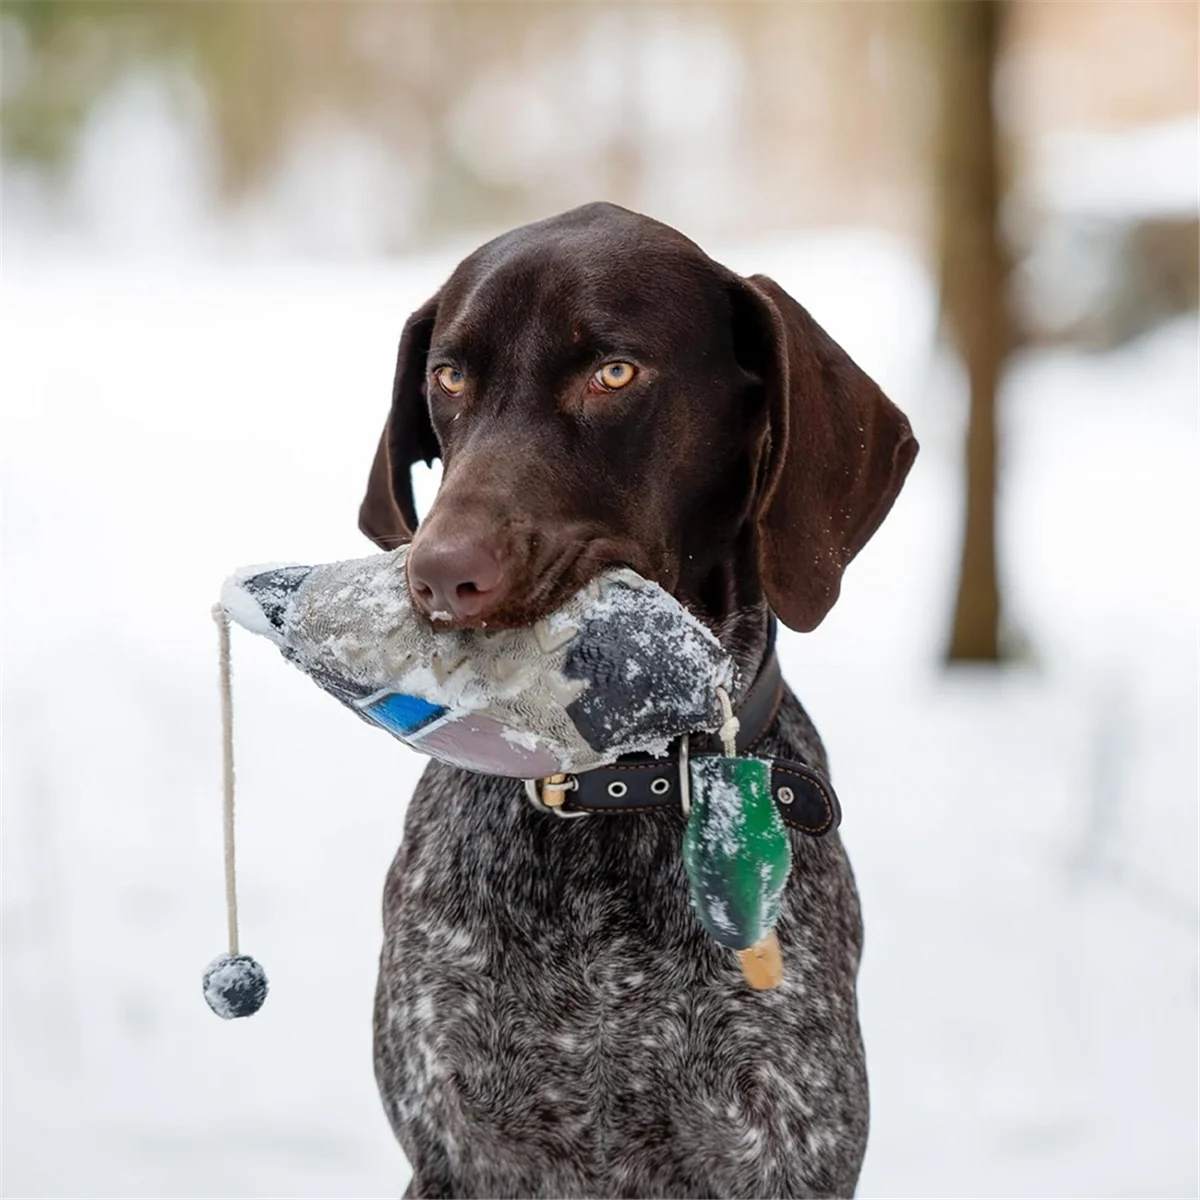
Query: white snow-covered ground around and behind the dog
point(1025, 843)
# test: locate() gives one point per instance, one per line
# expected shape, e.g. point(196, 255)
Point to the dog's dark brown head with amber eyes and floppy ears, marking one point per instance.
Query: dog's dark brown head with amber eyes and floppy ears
point(603, 393)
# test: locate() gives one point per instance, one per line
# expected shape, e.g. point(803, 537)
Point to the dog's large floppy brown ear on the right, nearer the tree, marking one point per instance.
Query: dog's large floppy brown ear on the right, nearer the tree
point(836, 457)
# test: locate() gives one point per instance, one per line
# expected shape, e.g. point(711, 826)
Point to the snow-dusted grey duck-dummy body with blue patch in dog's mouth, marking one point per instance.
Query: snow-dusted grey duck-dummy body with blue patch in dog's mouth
point(622, 667)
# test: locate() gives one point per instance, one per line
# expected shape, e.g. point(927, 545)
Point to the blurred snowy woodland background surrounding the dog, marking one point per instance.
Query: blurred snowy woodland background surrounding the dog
point(218, 214)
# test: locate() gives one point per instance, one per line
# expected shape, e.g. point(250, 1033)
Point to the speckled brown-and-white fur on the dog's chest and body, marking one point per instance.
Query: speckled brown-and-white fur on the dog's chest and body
point(553, 1022)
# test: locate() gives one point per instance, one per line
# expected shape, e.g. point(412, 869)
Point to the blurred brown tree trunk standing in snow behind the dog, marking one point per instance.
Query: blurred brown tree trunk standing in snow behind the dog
point(975, 271)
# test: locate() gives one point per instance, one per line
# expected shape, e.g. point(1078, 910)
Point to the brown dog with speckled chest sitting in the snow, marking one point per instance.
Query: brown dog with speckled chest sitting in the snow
point(551, 1019)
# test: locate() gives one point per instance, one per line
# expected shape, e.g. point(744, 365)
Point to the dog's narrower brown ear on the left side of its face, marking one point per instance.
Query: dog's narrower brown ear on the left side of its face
point(388, 514)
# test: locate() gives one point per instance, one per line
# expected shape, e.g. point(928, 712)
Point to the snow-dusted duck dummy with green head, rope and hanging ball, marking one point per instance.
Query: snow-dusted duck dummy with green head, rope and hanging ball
point(622, 668)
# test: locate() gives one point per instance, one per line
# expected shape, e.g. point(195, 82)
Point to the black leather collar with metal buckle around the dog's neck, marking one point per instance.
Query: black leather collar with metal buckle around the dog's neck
point(643, 783)
